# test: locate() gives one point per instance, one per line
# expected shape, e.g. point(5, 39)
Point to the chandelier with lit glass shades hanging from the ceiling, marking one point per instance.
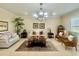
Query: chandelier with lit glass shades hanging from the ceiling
point(41, 14)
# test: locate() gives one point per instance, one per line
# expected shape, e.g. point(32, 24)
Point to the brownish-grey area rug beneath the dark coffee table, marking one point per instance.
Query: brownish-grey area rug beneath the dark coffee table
point(50, 47)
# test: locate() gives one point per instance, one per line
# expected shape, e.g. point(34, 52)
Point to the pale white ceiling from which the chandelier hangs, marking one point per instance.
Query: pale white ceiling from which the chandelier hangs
point(26, 9)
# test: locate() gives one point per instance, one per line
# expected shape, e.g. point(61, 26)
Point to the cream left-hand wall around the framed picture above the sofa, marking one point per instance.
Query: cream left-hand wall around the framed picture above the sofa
point(9, 17)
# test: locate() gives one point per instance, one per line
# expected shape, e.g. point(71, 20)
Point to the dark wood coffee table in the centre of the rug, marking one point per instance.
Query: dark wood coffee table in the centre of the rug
point(39, 41)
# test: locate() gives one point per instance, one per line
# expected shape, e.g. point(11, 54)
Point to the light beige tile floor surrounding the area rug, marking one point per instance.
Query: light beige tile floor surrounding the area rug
point(61, 50)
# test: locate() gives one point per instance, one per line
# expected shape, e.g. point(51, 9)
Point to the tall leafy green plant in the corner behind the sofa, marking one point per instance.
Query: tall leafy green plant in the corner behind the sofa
point(18, 23)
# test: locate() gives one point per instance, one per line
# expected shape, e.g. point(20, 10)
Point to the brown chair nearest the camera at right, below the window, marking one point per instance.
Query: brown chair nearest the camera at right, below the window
point(71, 43)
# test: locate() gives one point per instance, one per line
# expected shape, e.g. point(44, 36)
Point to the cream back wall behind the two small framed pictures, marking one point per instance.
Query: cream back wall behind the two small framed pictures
point(49, 23)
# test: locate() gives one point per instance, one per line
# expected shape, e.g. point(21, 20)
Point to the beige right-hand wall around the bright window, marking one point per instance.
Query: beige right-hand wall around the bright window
point(67, 18)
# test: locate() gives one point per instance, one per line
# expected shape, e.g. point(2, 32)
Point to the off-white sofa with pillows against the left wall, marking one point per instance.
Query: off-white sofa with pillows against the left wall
point(7, 42)
